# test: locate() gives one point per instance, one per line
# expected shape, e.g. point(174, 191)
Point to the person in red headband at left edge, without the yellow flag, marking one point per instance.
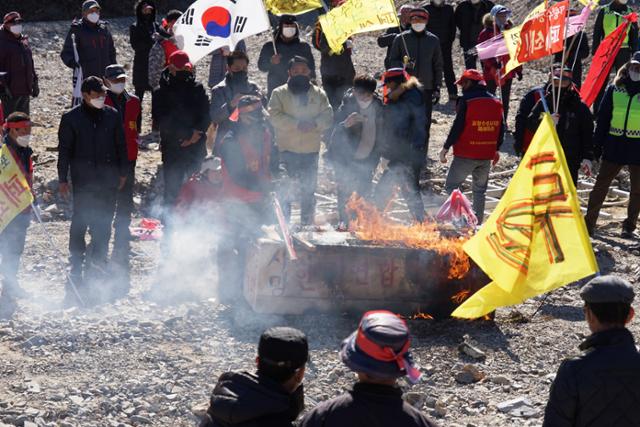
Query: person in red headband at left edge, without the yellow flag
point(12, 239)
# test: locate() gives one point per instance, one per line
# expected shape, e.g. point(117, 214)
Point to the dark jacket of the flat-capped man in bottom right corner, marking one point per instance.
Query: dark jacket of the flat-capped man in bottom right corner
point(600, 388)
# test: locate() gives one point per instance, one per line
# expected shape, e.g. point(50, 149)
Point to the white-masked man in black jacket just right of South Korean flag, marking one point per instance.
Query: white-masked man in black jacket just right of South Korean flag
point(289, 45)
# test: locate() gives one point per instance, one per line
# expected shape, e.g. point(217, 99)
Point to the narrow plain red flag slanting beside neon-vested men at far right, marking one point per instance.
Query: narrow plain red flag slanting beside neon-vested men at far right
point(603, 60)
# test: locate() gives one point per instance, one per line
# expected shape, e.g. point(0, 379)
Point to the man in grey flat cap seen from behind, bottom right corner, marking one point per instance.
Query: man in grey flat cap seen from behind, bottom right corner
point(600, 388)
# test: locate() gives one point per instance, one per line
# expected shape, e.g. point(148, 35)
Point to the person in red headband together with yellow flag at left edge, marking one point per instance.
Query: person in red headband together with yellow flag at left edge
point(13, 197)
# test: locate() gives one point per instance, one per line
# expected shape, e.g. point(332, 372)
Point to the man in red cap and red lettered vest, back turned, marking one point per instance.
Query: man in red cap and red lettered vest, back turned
point(476, 135)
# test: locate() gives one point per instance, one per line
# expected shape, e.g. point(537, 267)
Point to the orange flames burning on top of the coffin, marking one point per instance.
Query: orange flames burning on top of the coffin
point(371, 225)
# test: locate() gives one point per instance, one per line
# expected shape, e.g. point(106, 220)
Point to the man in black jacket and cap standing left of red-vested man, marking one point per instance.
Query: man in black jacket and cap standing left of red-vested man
point(91, 147)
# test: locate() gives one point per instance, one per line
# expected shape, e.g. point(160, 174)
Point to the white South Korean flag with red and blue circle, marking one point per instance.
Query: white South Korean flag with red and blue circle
point(210, 24)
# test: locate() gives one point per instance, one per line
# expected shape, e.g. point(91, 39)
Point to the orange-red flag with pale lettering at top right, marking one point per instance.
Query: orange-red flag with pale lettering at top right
point(543, 35)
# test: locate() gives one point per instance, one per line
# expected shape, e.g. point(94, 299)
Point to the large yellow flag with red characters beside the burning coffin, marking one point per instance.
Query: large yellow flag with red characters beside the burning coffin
point(536, 239)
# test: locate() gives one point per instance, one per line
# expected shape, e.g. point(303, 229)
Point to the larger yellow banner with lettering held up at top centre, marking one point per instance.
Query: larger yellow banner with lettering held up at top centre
point(357, 16)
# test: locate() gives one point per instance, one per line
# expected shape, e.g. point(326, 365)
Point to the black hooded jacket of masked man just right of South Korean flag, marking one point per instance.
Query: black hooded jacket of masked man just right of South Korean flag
point(279, 73)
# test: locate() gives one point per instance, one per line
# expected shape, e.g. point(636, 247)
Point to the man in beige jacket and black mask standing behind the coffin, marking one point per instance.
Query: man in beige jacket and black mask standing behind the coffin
point(300, 113)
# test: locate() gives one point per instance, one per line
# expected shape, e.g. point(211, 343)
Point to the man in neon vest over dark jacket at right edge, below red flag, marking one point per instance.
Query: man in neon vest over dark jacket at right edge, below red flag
point(617, 141)
